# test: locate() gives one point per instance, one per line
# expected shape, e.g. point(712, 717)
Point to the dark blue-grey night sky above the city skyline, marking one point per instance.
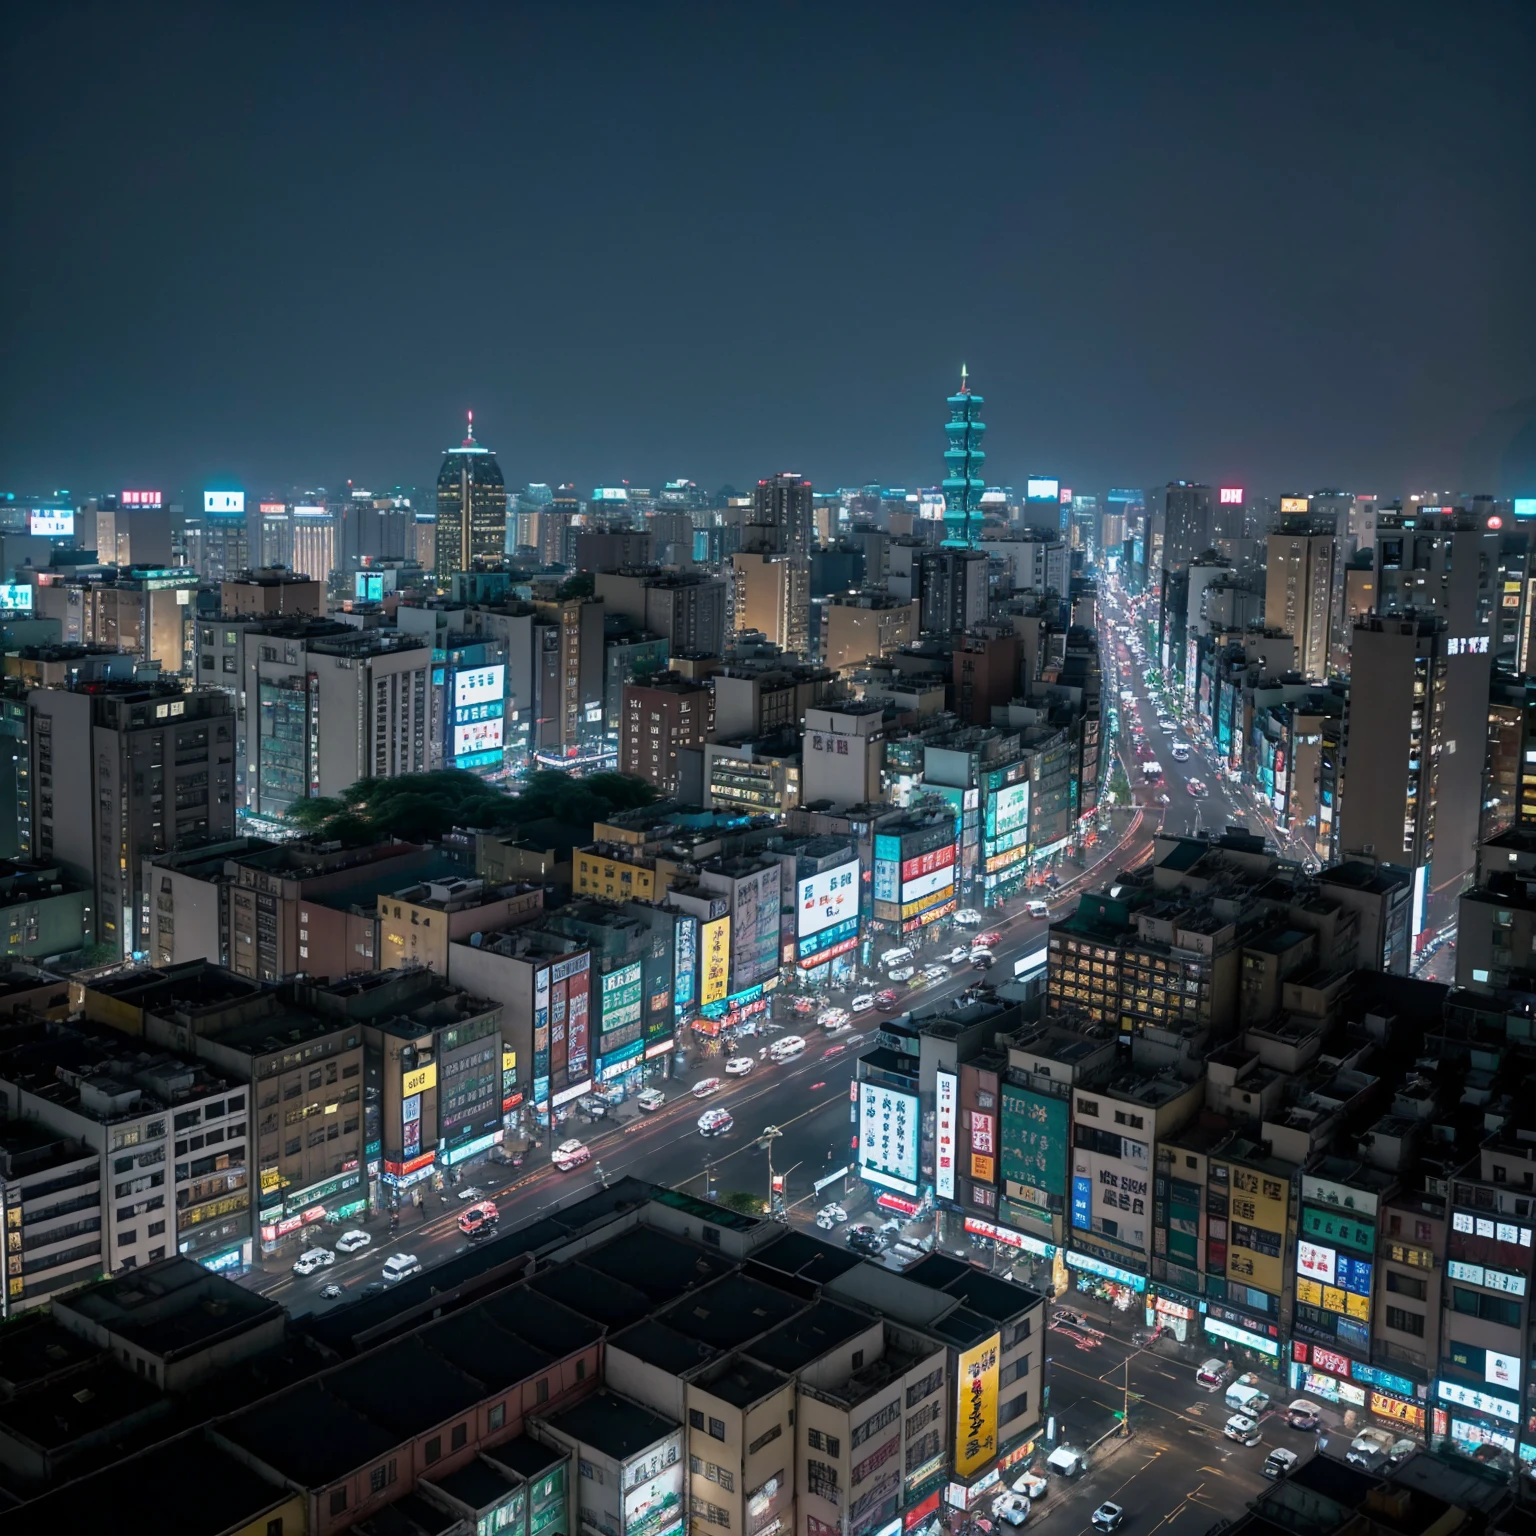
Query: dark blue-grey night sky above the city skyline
point(1277, 245)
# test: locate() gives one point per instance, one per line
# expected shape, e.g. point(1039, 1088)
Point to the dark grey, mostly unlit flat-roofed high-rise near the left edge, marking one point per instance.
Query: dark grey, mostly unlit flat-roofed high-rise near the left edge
point(124, 772)
